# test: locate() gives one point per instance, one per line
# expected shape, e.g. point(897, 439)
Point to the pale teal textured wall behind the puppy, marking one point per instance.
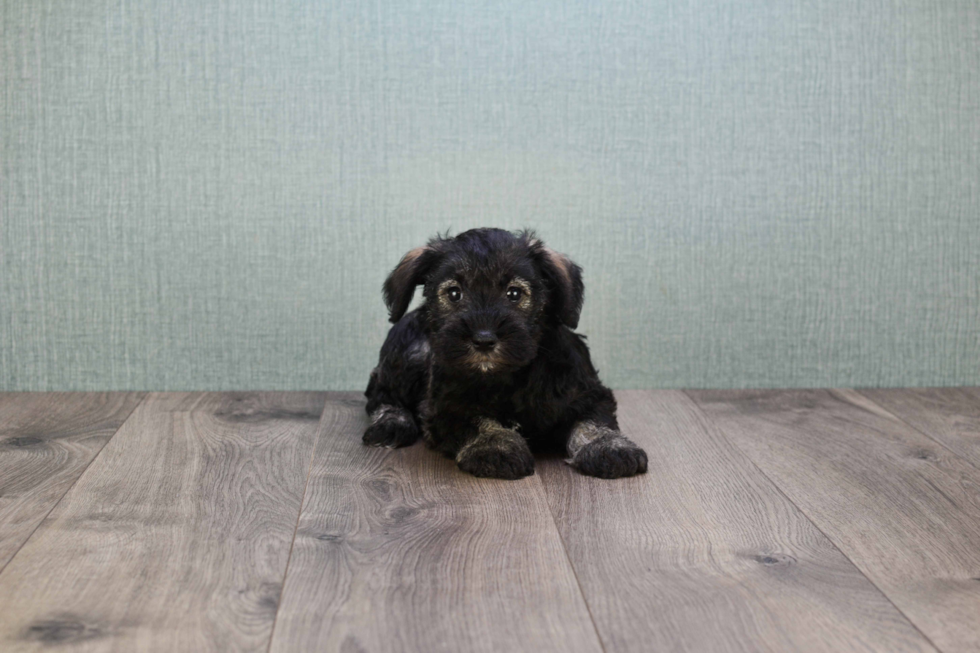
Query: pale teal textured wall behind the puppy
point(208, 194)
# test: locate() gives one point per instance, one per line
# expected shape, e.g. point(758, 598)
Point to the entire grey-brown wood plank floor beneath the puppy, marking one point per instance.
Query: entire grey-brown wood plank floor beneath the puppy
point(797, 520)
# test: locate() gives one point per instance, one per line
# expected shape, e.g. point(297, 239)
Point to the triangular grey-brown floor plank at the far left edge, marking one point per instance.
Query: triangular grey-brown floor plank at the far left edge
point(47, 439)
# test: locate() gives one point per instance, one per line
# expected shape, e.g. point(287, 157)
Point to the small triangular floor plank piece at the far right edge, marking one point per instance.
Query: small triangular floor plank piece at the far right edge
point(951, 416)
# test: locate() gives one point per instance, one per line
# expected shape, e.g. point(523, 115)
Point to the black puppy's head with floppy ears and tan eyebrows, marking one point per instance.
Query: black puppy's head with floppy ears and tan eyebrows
point(489, 295)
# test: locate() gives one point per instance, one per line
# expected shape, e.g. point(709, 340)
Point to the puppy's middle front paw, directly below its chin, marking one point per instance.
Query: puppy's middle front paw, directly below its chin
point(495, 451)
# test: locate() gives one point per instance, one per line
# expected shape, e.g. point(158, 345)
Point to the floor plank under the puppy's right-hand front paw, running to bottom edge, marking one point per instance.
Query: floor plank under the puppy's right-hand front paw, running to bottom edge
point(703, 553)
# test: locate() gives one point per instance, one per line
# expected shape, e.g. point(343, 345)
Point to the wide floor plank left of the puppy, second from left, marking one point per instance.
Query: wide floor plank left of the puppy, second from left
point(177, 536)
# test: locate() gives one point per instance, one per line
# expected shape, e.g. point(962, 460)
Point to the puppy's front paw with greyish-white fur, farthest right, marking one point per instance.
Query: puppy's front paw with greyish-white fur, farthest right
point(596, 449)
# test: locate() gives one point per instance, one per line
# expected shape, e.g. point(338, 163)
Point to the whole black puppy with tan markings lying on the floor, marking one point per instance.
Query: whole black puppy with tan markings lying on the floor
point(488, 367)
